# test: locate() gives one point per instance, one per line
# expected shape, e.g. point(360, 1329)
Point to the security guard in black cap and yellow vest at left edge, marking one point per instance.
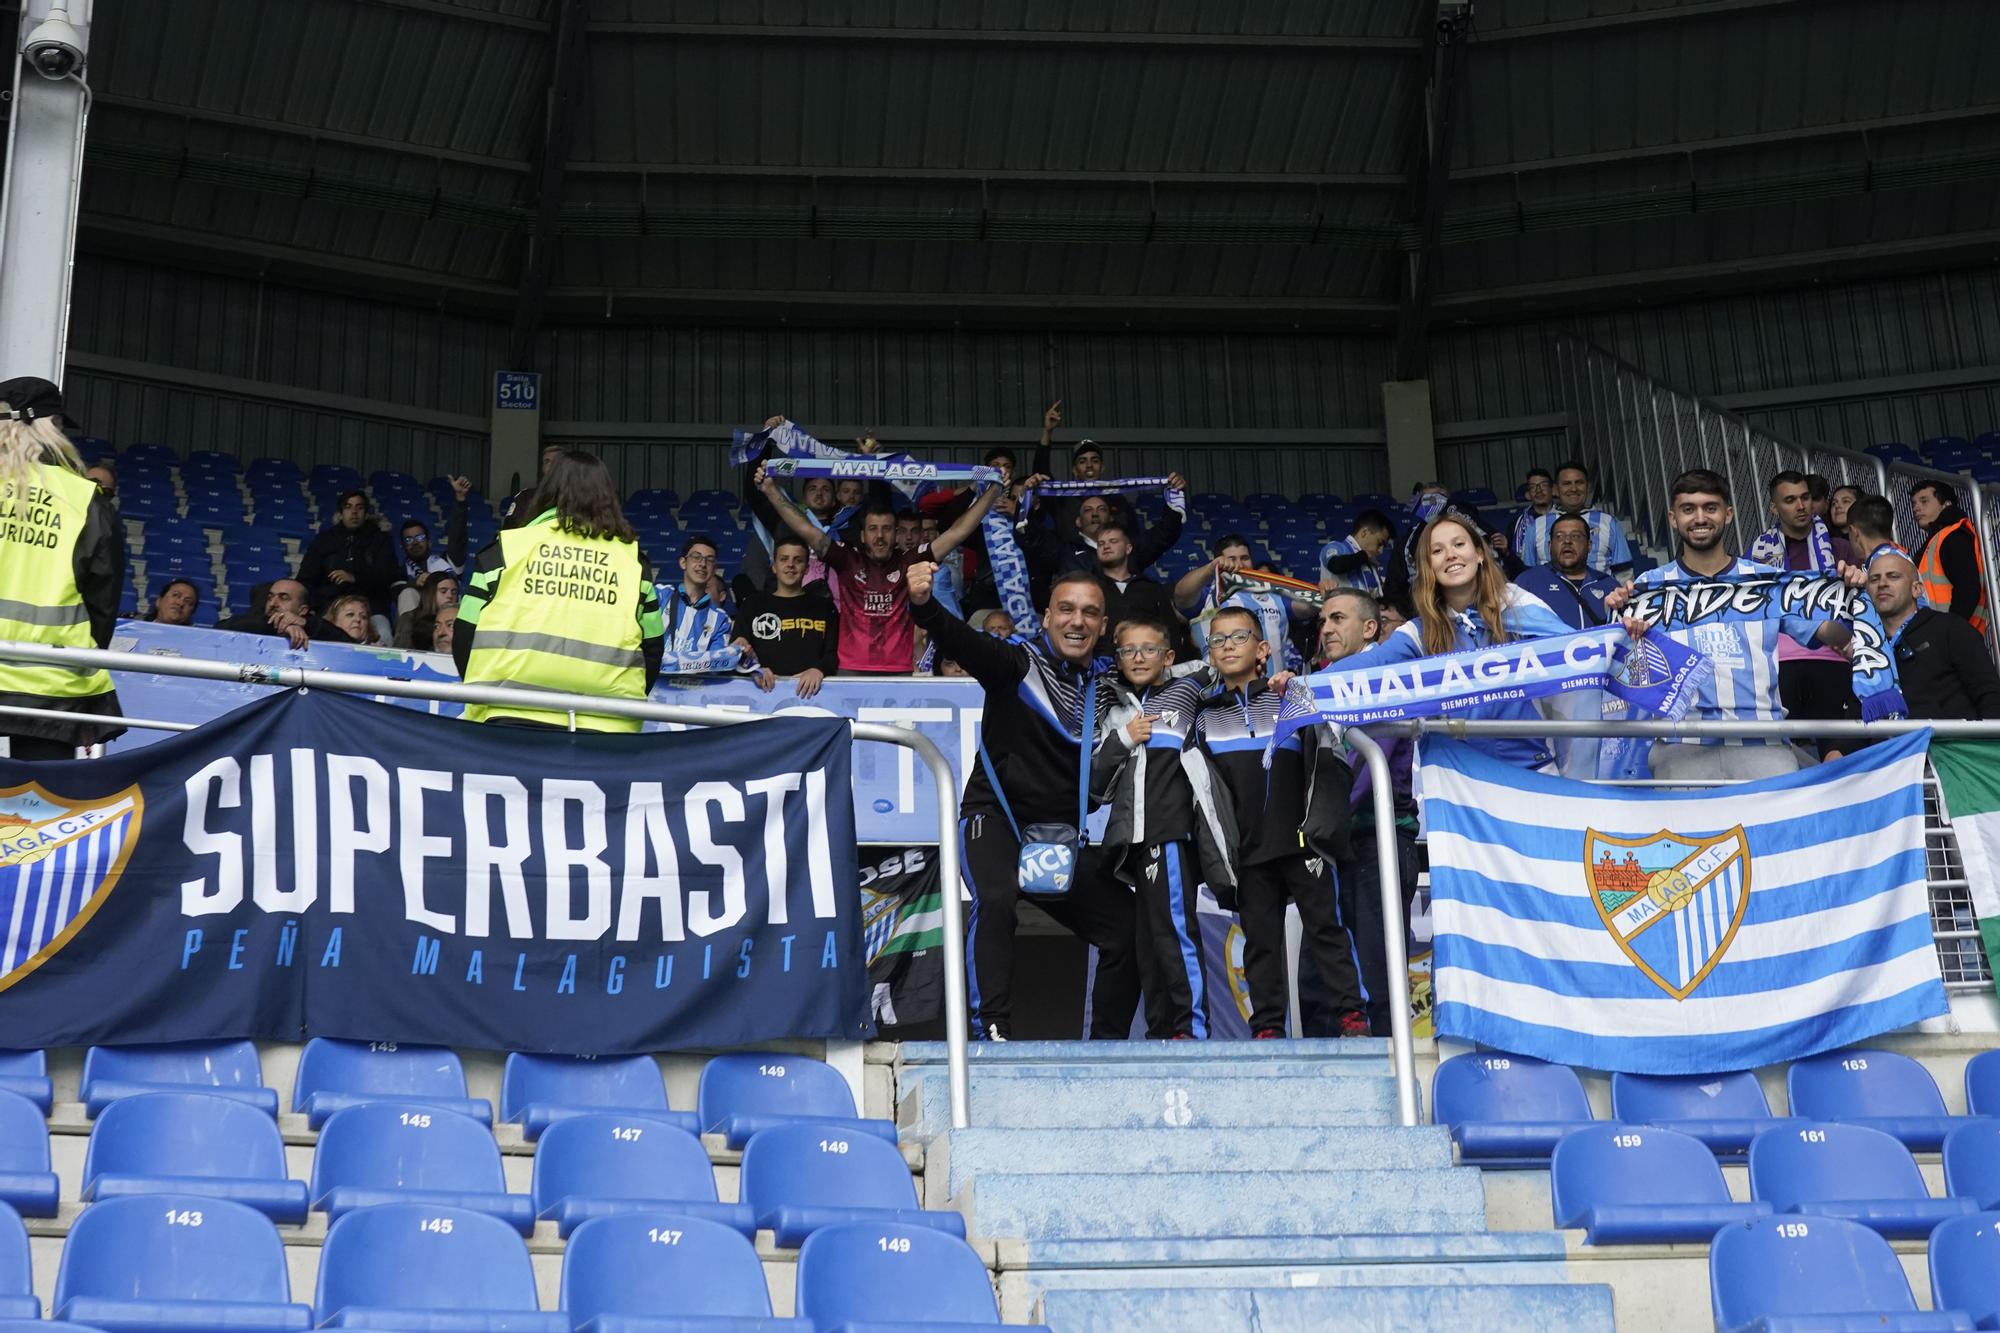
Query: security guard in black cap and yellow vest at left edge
point(61, 569)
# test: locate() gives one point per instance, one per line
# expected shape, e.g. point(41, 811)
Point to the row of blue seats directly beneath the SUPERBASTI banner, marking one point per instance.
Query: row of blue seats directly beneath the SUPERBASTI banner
point(739, 1094)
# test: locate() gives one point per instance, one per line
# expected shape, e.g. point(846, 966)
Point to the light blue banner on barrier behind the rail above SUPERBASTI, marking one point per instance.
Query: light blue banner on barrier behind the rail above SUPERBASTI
point(895, 800)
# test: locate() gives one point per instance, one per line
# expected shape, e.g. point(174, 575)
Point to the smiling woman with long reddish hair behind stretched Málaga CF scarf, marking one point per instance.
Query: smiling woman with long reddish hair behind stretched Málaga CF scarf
point(1463, 603)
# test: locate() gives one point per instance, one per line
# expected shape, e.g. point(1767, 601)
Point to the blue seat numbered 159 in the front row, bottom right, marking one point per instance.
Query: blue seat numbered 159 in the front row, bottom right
point(1783, 1276)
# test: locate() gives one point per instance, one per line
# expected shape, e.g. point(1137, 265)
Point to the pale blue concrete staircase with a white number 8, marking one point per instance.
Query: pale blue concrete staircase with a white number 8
point(1225, 1186)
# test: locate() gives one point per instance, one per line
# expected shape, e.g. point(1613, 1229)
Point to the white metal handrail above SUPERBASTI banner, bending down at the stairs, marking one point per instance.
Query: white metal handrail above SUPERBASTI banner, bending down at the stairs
point(555, 702)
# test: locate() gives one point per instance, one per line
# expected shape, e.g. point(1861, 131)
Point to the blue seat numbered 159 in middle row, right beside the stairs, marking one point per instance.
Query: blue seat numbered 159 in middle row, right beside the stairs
point(1641, 1186)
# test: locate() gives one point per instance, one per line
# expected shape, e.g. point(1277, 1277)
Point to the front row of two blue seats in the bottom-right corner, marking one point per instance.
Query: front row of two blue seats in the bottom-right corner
point(1777, 1274)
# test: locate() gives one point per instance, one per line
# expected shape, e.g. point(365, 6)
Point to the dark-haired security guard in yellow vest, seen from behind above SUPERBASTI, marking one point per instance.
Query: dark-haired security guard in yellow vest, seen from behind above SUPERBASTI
point(563, 603)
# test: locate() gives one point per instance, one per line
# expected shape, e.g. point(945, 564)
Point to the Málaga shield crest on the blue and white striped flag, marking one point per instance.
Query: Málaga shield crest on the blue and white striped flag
point(1671, 902)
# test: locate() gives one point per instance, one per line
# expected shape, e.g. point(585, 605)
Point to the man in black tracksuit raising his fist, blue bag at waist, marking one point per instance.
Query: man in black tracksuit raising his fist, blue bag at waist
point(1035, 738)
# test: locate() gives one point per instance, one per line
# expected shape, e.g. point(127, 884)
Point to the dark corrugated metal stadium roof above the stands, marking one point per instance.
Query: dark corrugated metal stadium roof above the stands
point(1219, 163)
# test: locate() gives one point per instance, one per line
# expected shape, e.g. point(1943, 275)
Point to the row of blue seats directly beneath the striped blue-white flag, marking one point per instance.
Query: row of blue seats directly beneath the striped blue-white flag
point(1513, 1110)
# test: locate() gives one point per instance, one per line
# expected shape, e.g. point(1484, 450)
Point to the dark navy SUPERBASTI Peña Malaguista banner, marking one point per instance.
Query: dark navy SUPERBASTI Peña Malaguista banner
point(317, 866)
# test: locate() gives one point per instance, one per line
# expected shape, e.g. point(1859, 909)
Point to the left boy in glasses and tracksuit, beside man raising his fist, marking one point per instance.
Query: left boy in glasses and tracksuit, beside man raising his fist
point(1171, 828)
